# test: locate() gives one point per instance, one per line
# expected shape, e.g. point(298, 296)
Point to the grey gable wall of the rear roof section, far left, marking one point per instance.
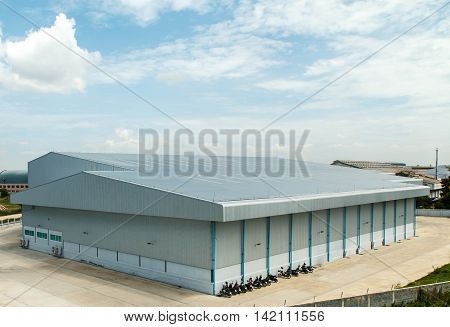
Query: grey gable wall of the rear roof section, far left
point(54, 166)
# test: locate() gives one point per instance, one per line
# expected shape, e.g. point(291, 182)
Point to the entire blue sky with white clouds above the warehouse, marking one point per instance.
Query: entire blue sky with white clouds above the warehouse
point(225, 64)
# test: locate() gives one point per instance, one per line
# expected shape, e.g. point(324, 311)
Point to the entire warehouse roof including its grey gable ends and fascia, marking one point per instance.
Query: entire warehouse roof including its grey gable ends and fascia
point(112, 183)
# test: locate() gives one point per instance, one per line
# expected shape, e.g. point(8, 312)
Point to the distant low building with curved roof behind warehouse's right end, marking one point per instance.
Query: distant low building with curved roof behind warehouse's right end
point(399, 169)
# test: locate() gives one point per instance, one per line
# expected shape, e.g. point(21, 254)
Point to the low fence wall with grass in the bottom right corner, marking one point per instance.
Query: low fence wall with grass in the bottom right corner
point(403, 295)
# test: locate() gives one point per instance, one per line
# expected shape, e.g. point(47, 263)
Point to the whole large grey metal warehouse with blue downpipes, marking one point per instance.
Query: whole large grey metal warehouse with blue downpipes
point(197, 231)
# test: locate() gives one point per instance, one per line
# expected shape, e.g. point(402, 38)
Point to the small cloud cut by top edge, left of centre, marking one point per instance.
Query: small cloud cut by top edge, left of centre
point(146, 11)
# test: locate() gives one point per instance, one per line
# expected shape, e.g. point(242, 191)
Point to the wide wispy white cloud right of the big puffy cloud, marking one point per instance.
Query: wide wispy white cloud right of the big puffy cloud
point(206, 56)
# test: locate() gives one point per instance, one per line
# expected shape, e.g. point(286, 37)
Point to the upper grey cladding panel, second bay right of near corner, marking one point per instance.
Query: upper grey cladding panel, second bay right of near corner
point(255, 239)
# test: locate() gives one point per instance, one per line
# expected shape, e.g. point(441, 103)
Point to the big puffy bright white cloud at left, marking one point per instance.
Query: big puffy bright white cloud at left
point(41, 64)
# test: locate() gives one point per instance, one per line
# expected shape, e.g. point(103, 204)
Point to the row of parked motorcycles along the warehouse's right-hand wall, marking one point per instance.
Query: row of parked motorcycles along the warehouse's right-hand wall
point(230, 289)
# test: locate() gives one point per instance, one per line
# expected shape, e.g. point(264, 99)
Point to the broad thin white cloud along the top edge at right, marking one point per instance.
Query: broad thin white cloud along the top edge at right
point(325, 17)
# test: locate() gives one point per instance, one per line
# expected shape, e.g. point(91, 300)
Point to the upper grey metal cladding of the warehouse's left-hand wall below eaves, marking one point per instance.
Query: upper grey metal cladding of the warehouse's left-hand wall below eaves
point(180, 241)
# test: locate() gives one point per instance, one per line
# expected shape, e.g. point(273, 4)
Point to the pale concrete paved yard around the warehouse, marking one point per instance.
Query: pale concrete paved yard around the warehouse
point(30, 278)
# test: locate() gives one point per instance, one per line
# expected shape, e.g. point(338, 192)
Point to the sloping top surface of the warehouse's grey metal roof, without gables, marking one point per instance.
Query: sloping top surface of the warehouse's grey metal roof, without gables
point(231, 184)
